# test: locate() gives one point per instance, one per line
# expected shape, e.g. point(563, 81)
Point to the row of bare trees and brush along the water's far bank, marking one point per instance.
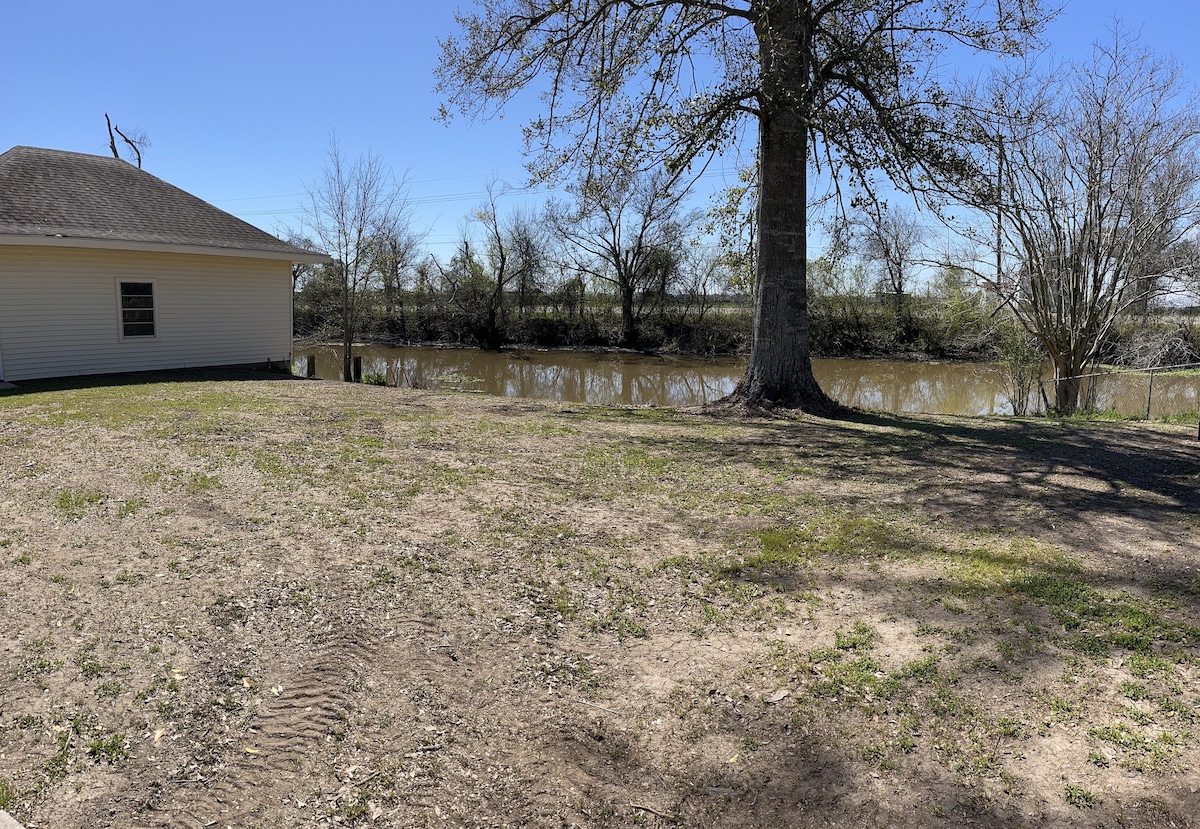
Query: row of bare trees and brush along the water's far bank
point(633, 268)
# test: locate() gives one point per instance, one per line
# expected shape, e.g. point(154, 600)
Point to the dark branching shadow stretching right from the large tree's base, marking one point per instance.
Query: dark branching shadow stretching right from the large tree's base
point(998, 474)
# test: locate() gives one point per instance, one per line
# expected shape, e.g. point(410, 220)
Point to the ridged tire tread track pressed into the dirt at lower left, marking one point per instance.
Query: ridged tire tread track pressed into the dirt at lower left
point(280, 758)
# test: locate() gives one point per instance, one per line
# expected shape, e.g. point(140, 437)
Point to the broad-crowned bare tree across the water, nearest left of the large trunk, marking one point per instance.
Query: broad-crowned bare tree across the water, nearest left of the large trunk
point(627, 231)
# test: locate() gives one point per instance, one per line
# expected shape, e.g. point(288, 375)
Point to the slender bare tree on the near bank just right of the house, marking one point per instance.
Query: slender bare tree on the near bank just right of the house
point(352, 206)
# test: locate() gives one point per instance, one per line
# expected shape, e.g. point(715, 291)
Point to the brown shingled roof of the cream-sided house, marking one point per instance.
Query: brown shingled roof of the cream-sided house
point(73, 200)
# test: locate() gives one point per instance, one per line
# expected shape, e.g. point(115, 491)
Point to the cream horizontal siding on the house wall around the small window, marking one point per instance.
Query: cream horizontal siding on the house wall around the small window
point(59, 311)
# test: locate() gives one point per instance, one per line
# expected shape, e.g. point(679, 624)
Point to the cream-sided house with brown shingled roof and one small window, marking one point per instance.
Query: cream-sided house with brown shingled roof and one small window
point(105, 268)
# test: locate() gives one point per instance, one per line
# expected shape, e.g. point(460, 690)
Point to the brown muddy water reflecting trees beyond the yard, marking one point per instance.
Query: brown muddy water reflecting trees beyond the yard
point(637, 380)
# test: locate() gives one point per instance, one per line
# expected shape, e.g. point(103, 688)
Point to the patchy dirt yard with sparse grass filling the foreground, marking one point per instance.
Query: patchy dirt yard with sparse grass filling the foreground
point(273, 603)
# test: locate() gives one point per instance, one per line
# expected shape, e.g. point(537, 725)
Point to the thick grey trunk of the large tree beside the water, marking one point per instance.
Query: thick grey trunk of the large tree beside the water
point(781, 368)
